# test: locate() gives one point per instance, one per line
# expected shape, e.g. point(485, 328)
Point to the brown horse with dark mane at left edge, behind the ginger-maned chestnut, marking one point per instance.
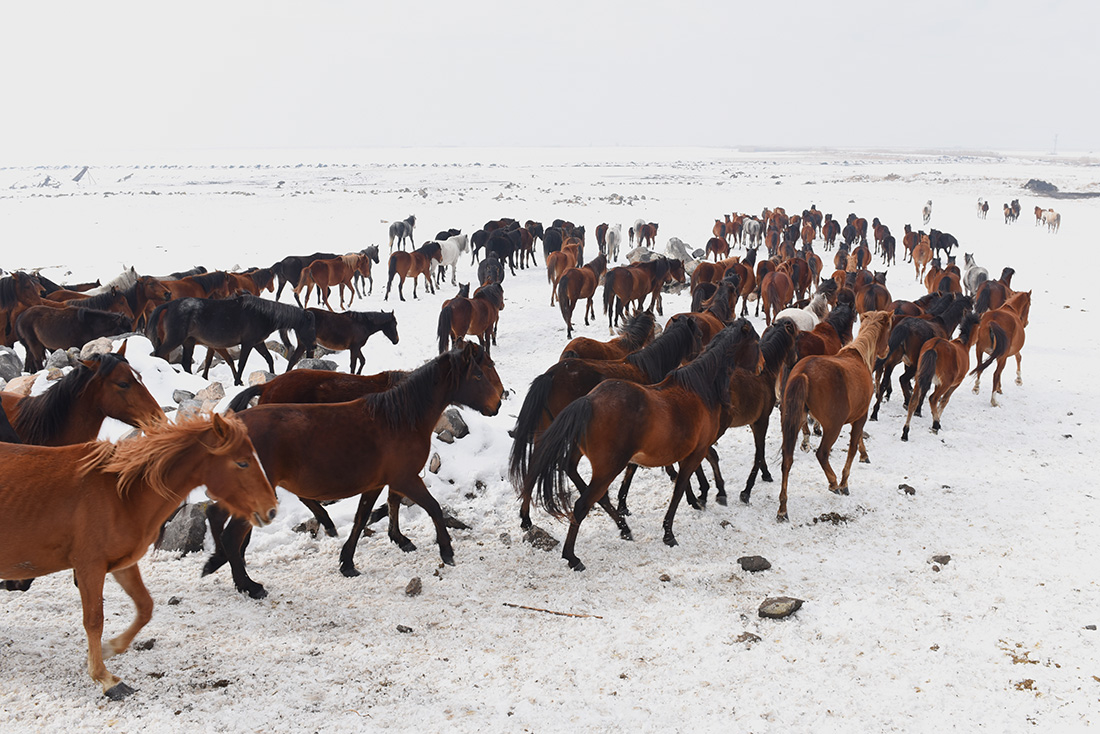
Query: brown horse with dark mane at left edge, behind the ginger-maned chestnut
point(73, 411)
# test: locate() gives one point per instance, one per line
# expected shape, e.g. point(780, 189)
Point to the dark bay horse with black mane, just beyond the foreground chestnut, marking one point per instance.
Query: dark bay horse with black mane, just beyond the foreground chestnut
point(337, 451)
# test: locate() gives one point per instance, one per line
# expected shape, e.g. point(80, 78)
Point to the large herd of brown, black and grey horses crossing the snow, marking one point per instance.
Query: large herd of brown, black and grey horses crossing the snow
point(650, 397)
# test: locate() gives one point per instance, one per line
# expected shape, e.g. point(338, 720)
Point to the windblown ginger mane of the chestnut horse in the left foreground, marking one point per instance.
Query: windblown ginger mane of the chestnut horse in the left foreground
point(150, 458)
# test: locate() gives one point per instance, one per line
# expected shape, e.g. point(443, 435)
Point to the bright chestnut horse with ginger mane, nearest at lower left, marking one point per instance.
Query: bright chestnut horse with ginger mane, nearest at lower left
point(97, 508)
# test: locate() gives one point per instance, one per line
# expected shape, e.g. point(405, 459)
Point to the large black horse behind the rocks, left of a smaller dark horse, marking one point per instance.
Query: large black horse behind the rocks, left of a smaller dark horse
point(246, 321)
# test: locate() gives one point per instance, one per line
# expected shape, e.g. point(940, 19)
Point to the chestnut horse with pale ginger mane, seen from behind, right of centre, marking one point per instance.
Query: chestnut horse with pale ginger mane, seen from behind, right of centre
point(834, 391)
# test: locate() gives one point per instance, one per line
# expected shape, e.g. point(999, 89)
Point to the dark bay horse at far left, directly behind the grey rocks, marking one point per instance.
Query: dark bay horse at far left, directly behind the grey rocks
point(43, 328)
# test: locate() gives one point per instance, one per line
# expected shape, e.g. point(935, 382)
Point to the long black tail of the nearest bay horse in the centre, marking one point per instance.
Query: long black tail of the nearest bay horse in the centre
point(553, 456)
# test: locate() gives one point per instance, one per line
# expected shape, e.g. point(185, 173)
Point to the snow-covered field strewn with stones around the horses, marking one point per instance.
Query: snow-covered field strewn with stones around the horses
point(997, 640)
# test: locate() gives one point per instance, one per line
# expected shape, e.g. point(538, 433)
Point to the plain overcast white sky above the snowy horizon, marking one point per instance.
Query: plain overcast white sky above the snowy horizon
point(199, 75)
